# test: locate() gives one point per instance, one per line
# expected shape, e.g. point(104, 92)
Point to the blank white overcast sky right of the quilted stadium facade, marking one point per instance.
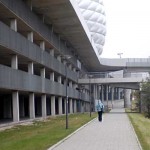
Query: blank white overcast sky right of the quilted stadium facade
point(128, 28)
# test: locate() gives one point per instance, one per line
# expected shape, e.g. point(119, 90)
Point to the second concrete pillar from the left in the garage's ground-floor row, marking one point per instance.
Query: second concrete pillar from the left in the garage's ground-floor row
point(32, 106)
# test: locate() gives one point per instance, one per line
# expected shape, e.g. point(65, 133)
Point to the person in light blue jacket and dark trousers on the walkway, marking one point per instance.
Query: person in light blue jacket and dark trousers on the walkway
point(100, 109)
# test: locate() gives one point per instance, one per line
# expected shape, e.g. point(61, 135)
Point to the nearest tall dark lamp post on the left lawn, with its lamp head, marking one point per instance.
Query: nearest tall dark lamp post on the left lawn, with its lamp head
point(66, 57)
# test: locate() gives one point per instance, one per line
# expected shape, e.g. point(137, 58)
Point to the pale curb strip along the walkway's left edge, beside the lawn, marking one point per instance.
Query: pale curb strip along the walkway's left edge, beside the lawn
point(58, 143)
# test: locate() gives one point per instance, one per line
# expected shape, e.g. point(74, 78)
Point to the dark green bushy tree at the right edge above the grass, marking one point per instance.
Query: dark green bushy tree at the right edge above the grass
point(145, 91)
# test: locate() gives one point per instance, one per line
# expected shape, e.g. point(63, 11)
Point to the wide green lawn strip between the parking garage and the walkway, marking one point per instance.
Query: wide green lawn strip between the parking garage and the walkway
point(41, 134)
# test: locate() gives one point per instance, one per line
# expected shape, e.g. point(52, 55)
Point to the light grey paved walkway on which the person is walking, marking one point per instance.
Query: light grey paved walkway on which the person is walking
point(114, 133)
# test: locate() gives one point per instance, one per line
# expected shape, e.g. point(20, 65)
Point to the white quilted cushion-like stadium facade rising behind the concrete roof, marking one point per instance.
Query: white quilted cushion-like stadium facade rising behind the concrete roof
point(94, 15)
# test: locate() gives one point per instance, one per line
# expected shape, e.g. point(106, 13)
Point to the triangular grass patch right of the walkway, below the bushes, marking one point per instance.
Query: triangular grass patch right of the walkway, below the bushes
point(142, 128)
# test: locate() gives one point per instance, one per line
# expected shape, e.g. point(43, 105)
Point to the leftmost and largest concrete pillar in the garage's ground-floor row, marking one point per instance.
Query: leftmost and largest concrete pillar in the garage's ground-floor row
point(15, 100)
